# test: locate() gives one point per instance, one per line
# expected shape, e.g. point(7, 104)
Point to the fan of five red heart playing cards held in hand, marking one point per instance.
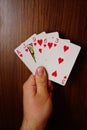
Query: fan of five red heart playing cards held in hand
point(55, 54)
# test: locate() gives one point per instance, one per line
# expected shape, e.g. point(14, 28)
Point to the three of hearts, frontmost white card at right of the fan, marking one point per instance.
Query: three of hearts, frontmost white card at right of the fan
point(60, 61)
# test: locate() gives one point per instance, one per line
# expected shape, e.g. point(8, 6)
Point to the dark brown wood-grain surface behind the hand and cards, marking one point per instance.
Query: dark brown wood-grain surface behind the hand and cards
point(19, 19)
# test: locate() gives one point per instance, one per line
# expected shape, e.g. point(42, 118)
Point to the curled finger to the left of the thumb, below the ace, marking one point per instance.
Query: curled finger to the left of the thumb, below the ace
point(29, 86)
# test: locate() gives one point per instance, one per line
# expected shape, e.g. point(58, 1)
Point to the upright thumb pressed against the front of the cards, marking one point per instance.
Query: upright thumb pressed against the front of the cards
point(41, 81)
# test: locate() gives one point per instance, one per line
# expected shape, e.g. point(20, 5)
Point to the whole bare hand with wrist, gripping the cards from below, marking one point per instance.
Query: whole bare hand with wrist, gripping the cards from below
point(37, 101)
